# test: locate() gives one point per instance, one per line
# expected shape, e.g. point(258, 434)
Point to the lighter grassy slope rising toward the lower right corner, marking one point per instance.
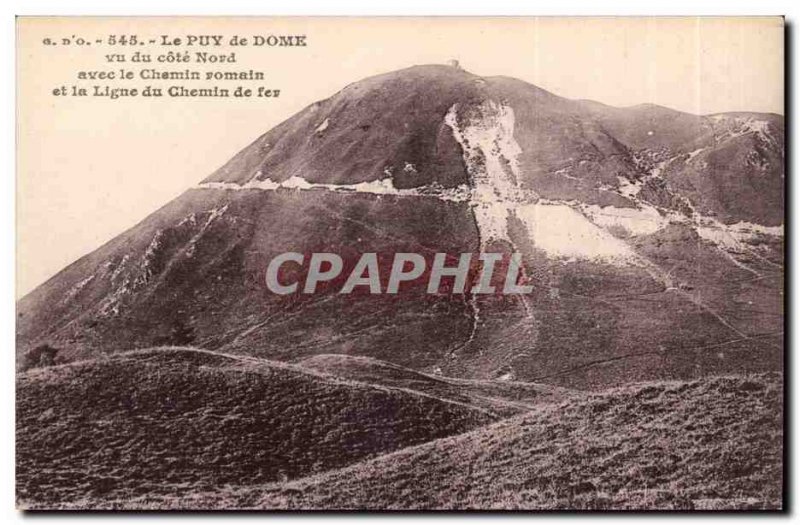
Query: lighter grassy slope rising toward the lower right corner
point(707, 444)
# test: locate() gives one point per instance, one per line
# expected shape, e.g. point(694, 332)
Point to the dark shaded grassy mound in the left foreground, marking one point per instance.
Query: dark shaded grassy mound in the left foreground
point(174, 421)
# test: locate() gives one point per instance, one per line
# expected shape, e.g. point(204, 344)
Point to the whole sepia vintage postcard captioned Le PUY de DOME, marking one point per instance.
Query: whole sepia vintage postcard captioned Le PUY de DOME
point(400, 263)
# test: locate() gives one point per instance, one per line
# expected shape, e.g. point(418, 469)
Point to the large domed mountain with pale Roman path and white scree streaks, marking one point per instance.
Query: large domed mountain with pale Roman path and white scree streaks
point(653, 239)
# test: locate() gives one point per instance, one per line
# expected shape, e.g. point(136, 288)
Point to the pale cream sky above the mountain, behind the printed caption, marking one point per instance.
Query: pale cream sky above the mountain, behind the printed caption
point(90, 168)
